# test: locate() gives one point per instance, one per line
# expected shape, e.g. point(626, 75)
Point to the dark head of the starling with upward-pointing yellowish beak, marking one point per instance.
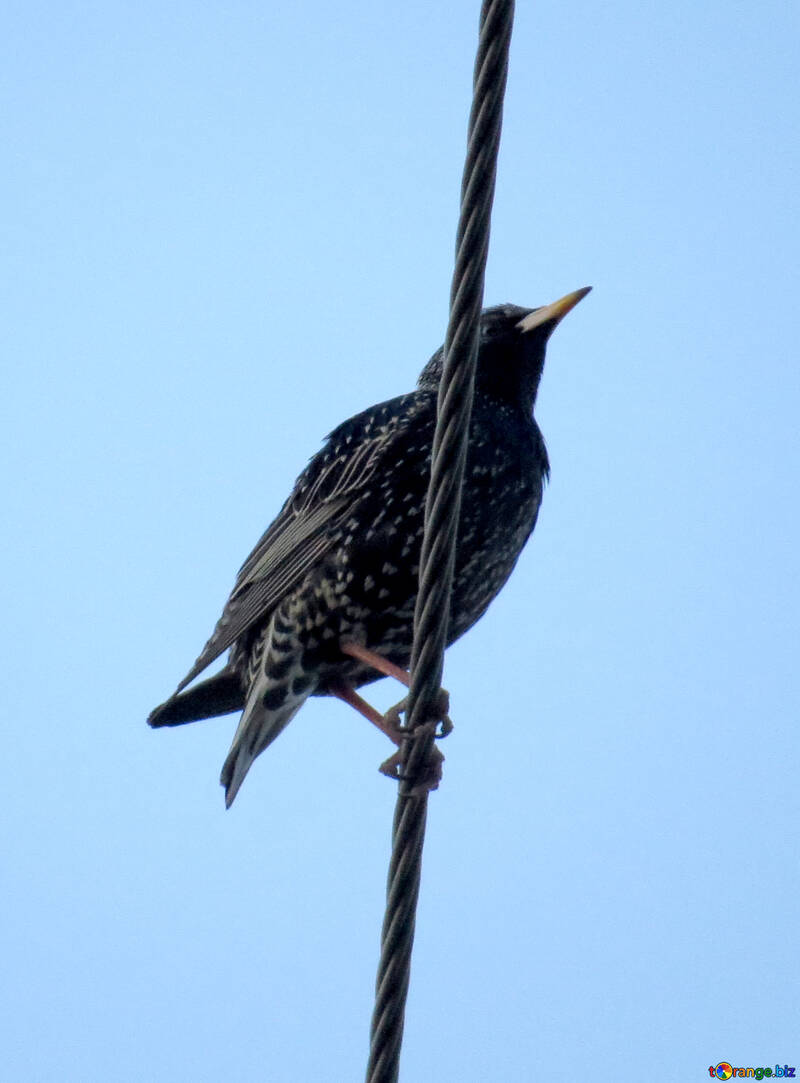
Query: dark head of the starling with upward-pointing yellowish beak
point(512, 350)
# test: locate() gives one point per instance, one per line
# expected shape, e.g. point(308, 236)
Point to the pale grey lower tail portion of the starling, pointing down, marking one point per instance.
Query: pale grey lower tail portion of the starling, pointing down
point(270, 709)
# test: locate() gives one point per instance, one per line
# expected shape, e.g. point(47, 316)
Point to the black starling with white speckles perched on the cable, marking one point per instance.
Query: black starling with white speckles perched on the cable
point(325, 603)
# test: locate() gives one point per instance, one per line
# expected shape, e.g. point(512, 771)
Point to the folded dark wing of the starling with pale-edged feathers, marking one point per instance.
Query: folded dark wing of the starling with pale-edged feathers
point(312, 520)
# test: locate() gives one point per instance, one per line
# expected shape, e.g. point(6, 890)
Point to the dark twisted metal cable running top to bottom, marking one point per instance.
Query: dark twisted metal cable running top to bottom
point(439, 544)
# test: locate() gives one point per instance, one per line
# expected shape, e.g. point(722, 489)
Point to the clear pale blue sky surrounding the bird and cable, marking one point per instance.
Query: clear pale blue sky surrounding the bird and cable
point(227, 228)
